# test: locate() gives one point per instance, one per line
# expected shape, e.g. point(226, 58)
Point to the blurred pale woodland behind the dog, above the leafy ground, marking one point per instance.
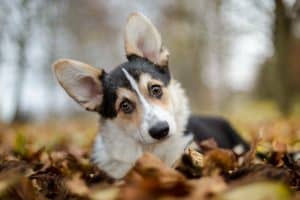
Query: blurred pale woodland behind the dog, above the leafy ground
point(235, 58)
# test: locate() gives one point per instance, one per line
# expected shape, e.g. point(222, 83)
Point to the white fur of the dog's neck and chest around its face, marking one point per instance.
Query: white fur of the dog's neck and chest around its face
point(112, 145)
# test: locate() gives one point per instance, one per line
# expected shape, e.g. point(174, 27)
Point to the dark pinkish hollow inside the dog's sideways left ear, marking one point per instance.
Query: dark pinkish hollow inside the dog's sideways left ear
point(90, 86)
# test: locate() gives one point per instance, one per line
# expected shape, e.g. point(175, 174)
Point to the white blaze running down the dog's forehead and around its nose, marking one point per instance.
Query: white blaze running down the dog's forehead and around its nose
point(152, 113)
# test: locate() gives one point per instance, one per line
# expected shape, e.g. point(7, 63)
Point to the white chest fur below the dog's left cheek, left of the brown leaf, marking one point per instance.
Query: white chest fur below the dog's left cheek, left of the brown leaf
point(114, 151)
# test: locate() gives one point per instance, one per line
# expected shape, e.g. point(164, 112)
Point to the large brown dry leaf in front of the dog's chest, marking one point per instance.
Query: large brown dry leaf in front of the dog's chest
point(151, 178)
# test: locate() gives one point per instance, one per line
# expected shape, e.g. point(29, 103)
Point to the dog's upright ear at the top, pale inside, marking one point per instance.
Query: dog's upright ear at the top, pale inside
point(142, 39)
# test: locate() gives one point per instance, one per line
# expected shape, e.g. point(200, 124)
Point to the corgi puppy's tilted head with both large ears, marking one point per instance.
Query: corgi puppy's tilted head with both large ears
point(137, 97)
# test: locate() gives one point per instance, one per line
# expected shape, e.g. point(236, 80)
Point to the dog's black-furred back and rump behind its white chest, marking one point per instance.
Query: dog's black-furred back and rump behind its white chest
point(217, 128)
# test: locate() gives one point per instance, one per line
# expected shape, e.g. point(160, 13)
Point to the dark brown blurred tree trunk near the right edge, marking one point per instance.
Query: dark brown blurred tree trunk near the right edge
point(275, 77)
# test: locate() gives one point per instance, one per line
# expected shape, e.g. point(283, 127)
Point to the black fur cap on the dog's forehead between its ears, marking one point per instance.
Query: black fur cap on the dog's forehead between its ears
point(116, 79)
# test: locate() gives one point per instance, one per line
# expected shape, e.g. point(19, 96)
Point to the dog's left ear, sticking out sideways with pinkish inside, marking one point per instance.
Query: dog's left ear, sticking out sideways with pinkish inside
point(81, 81)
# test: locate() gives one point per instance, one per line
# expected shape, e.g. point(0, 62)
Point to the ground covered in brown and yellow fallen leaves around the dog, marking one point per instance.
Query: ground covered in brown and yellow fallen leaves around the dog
point(51, 161)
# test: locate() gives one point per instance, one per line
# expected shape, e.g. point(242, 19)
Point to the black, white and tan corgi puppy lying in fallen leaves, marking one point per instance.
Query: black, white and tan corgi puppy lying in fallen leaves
point(141, 107)
